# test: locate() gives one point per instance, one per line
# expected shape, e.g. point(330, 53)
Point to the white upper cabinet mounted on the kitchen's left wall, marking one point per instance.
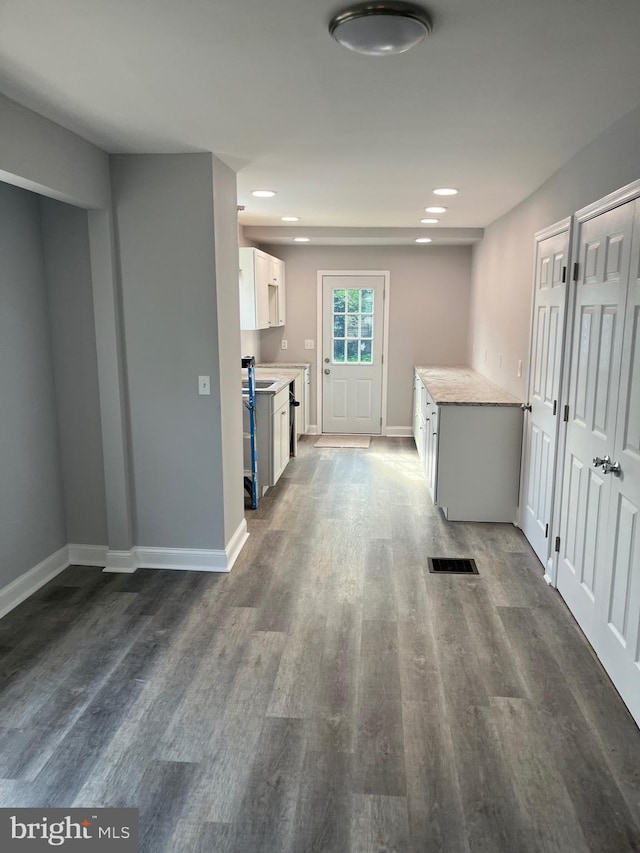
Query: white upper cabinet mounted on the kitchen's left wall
point(262, 295)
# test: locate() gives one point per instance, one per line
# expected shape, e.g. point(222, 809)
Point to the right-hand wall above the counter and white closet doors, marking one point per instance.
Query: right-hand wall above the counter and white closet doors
point(503, 261)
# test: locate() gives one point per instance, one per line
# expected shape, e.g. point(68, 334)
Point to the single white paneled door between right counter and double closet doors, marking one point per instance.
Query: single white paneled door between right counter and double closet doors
point(541, 422)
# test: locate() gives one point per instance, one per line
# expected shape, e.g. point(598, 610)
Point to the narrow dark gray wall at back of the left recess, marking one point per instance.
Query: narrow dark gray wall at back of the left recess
point(65, 235)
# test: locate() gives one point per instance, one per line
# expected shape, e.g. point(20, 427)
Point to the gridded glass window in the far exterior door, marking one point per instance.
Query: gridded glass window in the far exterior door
point(352, 319)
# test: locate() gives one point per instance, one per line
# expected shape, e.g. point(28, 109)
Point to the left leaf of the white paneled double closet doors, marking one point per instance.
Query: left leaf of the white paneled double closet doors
point(586, 532)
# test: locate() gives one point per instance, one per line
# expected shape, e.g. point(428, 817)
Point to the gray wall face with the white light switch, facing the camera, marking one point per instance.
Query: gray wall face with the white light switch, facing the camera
point(165, 232)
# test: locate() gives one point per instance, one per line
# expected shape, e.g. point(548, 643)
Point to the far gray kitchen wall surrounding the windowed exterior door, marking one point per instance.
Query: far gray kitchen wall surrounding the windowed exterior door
point(428, 310)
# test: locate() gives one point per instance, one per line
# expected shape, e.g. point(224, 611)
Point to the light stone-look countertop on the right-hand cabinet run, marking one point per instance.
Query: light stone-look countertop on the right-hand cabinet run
point(461, 386)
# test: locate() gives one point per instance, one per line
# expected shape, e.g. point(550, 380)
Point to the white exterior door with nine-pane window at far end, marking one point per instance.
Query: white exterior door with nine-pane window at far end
point(352, 325)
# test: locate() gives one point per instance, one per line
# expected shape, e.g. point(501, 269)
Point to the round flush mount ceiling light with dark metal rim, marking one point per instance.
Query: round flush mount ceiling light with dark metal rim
point(381, 28)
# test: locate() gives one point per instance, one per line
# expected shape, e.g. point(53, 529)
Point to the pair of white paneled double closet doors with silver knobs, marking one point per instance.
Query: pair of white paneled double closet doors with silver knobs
point(599, 559)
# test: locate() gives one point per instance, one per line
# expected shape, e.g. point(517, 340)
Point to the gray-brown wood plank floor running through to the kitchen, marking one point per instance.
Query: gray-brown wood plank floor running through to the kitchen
point(329, 694)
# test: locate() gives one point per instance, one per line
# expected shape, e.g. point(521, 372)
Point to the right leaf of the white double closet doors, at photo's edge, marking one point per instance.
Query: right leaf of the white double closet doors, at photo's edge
point(618, 643)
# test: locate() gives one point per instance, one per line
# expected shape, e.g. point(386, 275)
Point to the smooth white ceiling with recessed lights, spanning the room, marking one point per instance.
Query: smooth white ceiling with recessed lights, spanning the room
point(496, 99)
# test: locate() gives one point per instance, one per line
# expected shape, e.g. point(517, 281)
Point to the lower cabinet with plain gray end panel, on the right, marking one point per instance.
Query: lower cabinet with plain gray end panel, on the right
point(470, 451)
